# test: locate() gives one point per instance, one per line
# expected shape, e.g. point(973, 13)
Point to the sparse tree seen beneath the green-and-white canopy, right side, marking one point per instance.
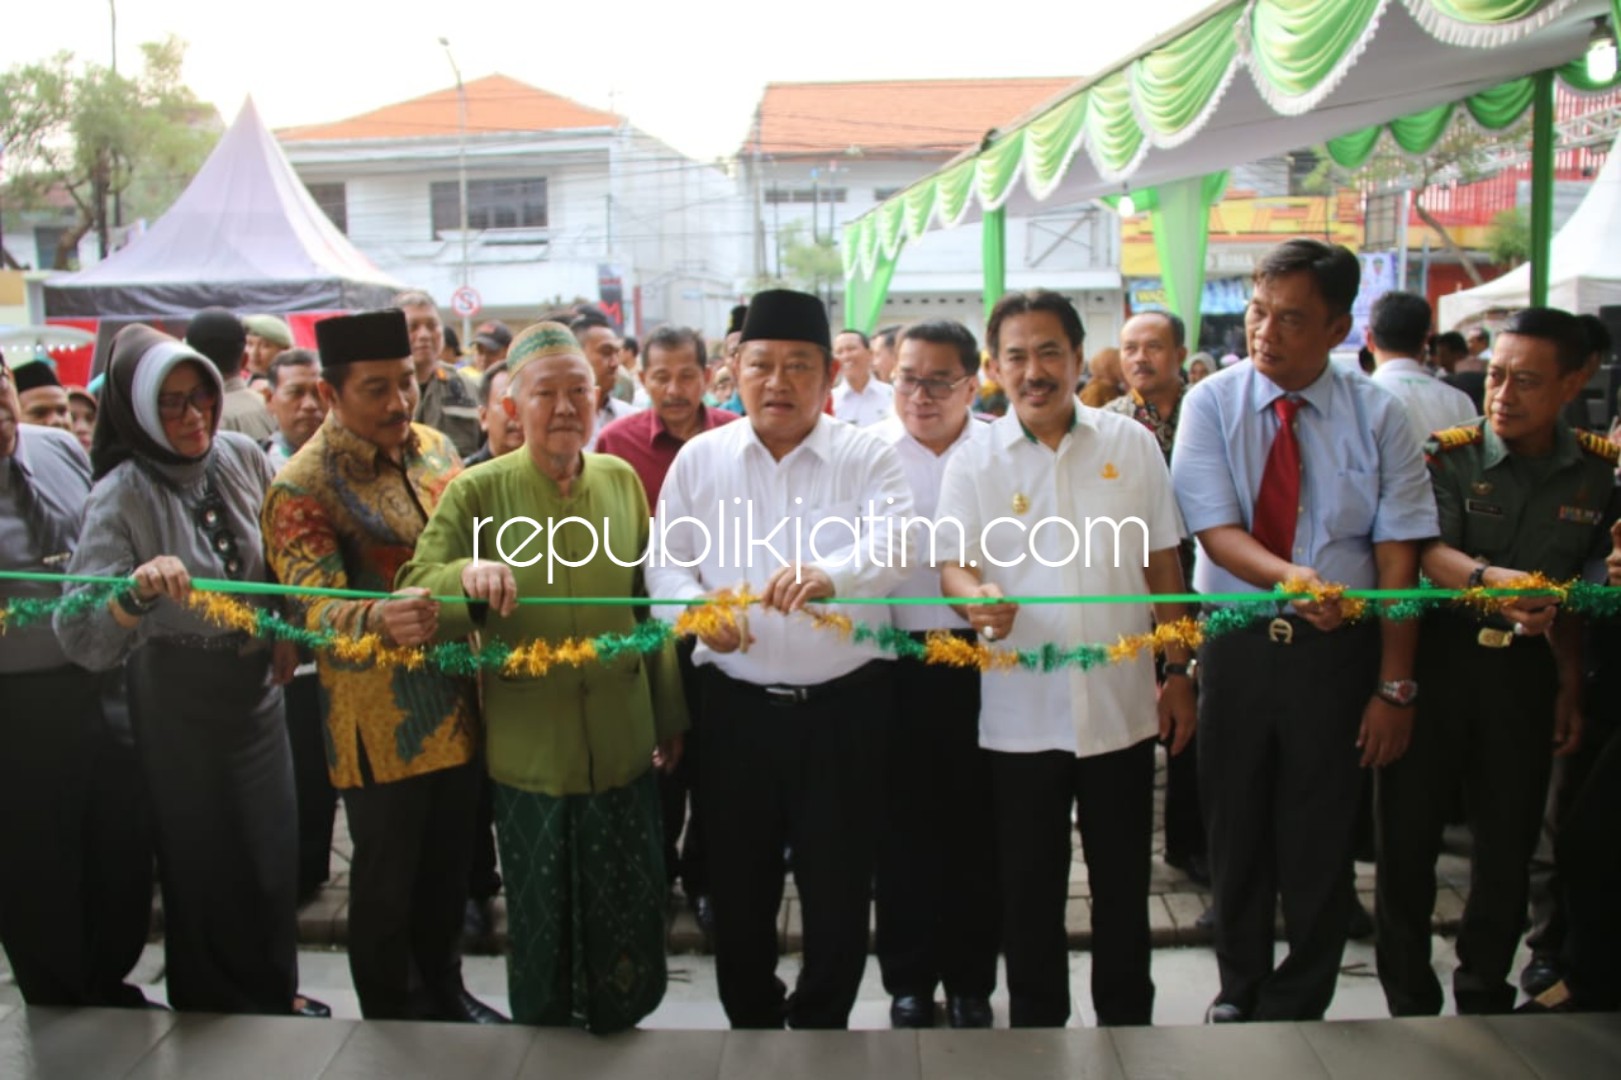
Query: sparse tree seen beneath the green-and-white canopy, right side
point(1460, 156)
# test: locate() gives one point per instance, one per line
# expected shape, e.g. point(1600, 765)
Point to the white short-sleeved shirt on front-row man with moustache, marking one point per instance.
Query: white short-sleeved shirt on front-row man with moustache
point(1106, 469)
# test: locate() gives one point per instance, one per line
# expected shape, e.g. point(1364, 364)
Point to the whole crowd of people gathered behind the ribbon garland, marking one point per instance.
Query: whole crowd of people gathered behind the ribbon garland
point(936, 799)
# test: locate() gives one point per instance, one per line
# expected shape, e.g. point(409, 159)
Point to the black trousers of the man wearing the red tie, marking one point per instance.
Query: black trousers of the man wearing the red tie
point(1280, 778)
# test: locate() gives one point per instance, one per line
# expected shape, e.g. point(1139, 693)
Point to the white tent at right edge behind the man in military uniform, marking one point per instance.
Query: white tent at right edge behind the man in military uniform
point(1585, 264)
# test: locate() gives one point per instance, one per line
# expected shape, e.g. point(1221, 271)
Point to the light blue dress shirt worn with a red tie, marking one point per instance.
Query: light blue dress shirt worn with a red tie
point(1362, 481)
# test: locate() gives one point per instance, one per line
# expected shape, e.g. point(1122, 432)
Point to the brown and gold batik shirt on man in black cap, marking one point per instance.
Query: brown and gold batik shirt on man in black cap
point(344, 516)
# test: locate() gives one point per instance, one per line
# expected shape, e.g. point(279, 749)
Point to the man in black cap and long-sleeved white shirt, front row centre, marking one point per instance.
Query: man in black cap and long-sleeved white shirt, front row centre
point(795, 718)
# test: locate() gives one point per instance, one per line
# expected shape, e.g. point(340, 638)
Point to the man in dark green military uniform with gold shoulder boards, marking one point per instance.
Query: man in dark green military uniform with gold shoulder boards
point(1518, 492)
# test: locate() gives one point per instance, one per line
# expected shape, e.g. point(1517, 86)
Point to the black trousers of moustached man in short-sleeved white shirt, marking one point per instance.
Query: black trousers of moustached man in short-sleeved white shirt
point(1113, 799)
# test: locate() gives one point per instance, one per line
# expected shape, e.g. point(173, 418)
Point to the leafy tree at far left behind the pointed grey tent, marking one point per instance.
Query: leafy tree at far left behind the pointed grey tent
point(100, 137)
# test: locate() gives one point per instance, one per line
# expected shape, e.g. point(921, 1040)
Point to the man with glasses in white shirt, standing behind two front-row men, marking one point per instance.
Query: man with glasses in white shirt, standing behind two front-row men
point(936, 885)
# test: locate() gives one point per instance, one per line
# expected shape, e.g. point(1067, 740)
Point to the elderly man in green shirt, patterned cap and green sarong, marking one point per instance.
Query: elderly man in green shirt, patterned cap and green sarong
point(571, 750)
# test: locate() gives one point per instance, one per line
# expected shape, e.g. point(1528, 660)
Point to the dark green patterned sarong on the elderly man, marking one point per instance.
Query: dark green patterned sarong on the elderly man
point(586, 906)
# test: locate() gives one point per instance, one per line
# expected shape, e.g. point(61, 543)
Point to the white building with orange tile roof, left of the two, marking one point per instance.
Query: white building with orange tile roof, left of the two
point(560, 197)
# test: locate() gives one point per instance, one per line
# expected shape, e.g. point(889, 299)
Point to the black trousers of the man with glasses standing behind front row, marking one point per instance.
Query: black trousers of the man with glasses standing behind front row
point(936, 898)
